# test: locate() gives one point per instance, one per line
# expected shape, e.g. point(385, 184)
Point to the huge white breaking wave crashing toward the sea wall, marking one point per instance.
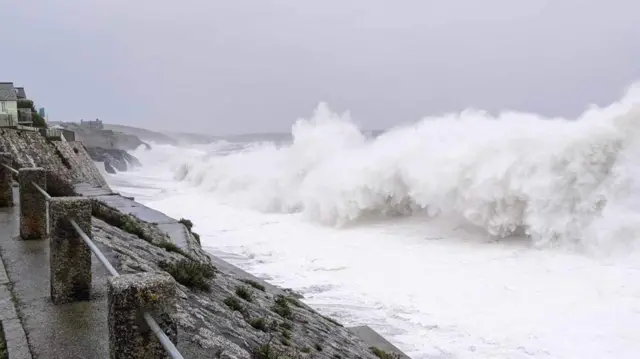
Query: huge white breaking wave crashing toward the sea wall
point(555, 179)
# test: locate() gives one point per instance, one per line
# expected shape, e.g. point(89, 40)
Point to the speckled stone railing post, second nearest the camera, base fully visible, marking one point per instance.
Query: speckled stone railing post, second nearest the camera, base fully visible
point(69, 256)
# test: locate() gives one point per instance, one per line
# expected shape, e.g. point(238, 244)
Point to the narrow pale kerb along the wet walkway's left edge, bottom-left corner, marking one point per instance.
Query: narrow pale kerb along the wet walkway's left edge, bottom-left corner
point(14, 334)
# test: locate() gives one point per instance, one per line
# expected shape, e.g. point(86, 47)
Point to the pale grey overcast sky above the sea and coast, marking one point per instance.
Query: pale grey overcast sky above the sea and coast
point(241, 66)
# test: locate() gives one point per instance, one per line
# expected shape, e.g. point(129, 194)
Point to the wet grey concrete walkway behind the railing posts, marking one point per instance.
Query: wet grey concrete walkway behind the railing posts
point(74, 330)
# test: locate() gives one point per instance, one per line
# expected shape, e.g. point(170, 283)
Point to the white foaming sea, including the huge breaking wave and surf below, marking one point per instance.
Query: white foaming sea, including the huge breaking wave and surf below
point(460, 236)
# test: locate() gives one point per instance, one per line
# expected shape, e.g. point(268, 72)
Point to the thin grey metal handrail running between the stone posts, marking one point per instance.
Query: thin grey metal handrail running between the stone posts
point(164, 340)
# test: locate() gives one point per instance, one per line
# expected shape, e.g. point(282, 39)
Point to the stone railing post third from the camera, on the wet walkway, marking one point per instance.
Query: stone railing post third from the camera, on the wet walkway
point(33, 206)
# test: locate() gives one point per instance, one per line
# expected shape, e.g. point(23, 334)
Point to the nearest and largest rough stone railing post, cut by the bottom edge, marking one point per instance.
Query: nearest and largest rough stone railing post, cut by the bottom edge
point(129, 296)
